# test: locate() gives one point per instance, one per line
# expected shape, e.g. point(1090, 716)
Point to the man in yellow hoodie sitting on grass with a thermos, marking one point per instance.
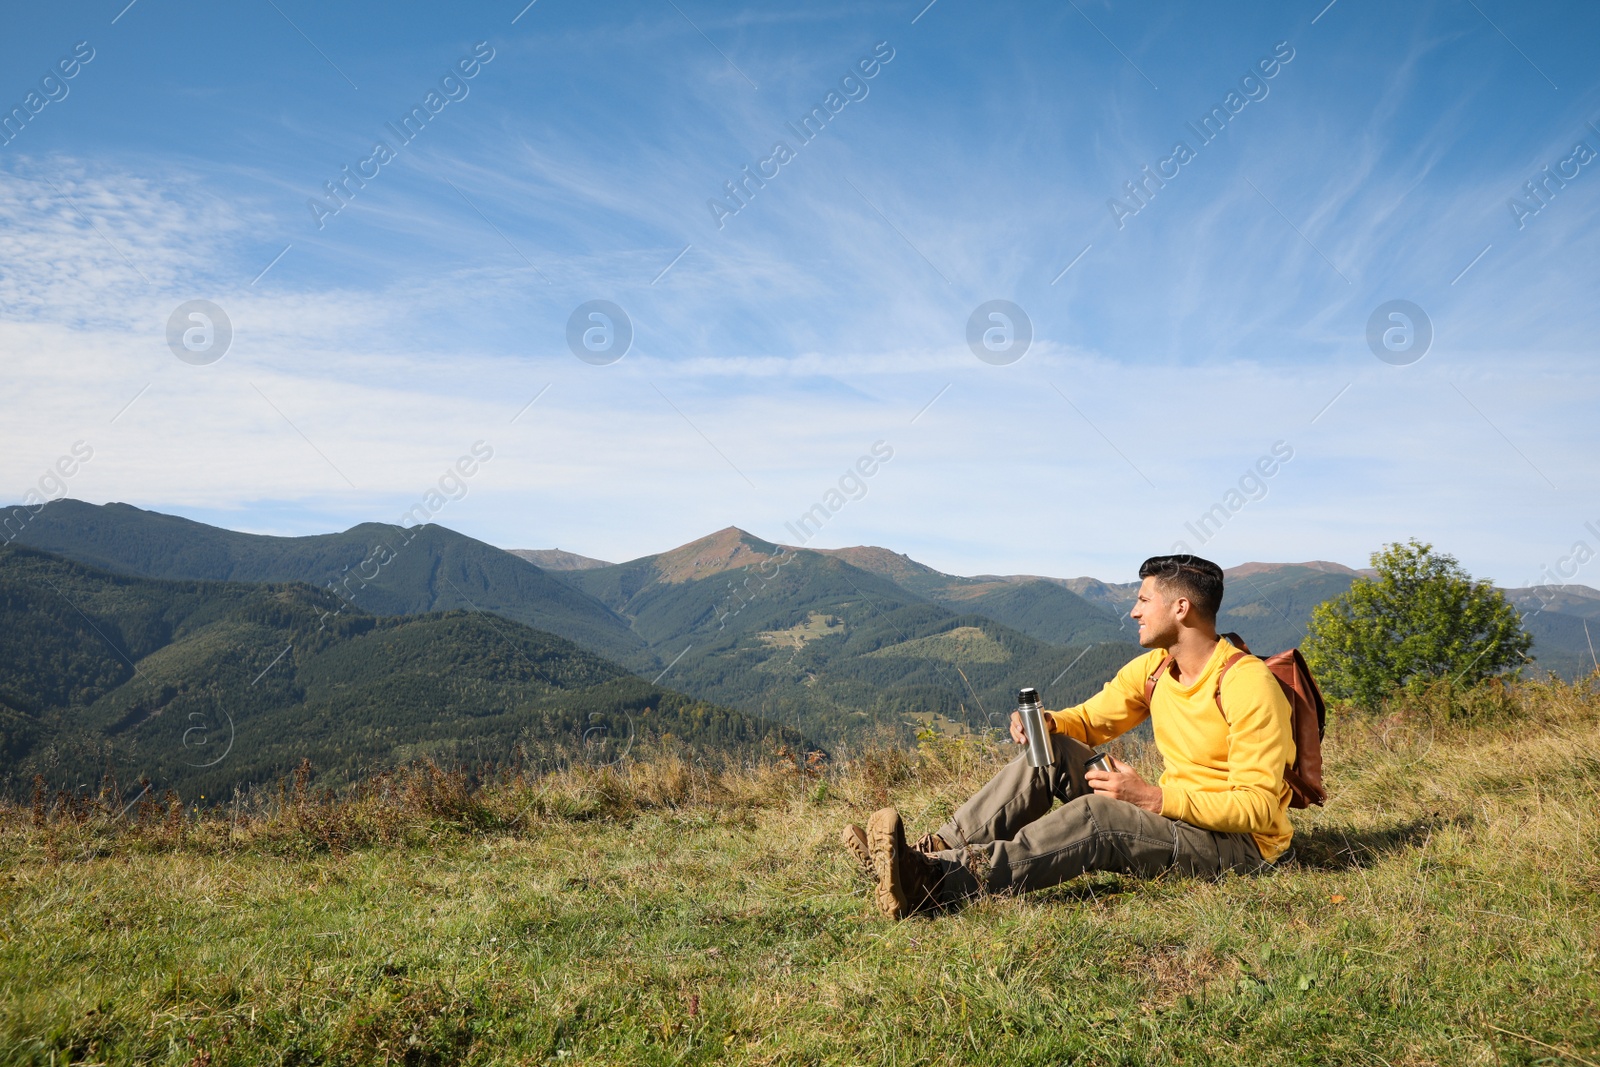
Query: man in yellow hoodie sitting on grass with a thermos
point(1222, 804)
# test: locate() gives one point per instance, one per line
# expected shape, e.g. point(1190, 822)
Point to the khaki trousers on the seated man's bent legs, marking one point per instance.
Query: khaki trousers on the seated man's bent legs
point(1007, 837)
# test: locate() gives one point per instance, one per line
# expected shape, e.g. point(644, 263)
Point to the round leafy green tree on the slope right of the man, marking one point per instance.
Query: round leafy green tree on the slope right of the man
point(1422, 620)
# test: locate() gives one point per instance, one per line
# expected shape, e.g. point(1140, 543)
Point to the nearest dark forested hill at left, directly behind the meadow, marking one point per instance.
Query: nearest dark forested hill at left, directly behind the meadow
point(207, 687)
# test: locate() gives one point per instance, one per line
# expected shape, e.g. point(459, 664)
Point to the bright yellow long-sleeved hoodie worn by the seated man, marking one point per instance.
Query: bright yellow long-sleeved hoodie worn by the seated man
point(1222, 773)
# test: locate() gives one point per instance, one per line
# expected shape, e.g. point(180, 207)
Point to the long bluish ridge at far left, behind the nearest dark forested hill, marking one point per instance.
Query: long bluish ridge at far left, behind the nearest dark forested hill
point(375, 567)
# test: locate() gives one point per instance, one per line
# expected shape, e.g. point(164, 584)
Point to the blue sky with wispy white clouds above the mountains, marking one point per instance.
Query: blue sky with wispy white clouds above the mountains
point(1174, 346)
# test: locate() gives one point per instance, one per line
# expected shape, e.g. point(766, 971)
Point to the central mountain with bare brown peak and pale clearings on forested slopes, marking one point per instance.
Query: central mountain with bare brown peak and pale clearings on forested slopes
point(833, 645)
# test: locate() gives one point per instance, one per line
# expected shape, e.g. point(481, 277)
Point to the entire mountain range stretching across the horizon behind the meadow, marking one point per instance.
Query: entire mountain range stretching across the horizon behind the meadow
point(825, 644)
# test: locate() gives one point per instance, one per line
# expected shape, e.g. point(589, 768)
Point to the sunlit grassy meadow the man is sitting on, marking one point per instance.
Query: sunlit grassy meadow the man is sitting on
point(1447, 911)
